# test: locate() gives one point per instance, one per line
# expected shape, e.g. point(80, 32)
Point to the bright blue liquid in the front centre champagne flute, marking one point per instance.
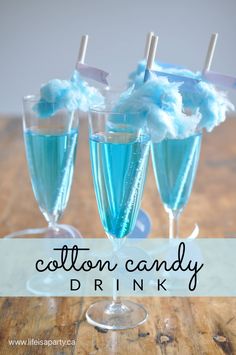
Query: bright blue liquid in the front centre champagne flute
point(119, 165)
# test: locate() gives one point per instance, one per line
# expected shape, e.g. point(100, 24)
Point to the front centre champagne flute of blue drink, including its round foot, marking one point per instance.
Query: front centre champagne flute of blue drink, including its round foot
point(119, 154)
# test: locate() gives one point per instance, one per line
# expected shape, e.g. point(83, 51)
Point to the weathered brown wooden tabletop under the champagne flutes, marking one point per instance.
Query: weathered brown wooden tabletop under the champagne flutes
point(183, 326)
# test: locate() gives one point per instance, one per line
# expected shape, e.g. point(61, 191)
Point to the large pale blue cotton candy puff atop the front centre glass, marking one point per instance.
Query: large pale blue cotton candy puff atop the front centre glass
point(159, 104)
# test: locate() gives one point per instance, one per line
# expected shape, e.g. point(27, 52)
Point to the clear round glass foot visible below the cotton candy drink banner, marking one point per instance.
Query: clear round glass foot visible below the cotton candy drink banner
point(116, 316)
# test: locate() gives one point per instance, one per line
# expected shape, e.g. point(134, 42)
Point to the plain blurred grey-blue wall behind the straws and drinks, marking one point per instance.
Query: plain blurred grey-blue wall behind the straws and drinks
point(39, 40)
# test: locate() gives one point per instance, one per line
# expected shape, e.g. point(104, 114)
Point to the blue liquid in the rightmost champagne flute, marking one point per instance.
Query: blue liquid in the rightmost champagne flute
point(175, 163)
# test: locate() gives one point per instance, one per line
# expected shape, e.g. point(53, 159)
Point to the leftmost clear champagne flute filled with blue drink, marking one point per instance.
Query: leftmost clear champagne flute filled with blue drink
point(50, 145)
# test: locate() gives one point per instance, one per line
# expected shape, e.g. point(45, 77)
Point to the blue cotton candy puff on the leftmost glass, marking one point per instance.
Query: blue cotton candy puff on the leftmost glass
point(68, 94)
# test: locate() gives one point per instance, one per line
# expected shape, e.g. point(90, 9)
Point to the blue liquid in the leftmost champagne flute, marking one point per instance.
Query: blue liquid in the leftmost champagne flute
point(51, 159)
